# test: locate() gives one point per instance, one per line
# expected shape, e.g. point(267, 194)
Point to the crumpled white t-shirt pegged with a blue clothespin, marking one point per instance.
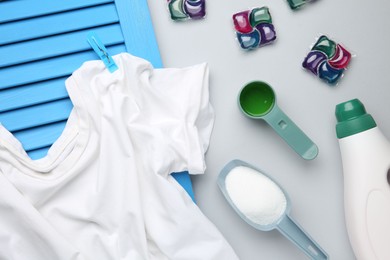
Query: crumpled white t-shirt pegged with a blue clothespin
point(104, 191)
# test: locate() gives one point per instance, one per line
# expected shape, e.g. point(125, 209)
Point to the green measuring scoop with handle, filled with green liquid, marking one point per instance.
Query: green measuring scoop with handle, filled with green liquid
point(257, 100)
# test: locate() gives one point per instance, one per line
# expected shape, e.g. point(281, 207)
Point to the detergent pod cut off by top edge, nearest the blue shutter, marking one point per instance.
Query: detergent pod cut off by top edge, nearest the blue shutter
point(187, 9)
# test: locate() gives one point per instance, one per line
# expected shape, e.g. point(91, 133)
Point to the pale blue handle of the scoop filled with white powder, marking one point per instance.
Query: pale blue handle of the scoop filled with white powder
point(294, 233)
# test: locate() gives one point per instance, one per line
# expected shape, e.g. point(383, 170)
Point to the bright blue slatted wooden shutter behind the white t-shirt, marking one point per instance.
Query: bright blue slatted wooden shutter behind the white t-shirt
point(43, 41)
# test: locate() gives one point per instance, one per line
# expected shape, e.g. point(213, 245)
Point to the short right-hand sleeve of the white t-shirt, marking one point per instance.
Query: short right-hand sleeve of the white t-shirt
point(178, 118)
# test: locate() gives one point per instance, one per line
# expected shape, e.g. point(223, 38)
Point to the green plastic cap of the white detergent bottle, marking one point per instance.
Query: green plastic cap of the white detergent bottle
point(352, 118)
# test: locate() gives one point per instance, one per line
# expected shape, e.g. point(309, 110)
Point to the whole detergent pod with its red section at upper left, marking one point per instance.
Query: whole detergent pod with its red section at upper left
point(254, 28)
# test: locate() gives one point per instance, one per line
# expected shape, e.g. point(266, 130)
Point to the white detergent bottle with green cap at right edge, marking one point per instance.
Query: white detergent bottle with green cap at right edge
point(365, 153)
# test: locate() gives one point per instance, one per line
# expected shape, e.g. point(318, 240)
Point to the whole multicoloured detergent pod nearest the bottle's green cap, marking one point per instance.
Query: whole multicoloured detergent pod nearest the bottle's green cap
point(328, 60)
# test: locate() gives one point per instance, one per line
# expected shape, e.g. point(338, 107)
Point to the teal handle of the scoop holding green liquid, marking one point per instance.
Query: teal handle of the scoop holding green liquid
point(291, 133)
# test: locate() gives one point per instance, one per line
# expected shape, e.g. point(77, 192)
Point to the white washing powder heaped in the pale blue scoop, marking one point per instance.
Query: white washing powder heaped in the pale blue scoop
point(255, 195)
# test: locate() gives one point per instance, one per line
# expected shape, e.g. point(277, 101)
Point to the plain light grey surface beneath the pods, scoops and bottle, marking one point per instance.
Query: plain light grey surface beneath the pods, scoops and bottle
point(315, 187)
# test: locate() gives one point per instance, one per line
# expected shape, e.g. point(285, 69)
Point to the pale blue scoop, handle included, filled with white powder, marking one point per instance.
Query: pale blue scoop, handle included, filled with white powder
point(239, 192)
